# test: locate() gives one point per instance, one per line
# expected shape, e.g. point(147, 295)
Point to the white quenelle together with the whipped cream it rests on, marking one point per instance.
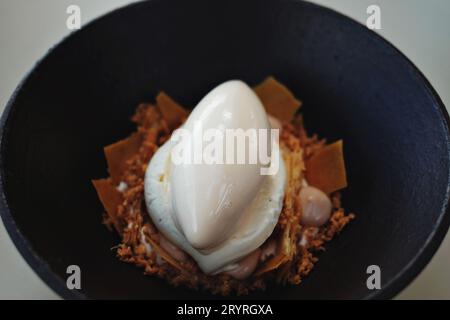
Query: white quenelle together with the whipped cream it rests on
point(217, 213)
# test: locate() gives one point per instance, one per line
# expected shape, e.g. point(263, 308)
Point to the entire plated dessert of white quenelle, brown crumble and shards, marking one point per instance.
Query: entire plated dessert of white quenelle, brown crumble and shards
point(234, 222)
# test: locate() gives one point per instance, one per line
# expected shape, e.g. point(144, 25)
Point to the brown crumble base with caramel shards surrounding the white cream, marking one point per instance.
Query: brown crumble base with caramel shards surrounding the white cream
point(311, 211)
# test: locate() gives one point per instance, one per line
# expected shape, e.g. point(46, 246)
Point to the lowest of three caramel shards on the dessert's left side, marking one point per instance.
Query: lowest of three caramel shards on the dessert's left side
point(110, 199)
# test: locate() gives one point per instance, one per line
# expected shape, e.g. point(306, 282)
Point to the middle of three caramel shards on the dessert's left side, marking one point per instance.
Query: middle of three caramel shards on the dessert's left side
point(118, 153)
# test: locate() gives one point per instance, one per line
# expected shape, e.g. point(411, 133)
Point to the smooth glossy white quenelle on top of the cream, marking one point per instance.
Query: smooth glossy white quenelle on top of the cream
point(208, 199)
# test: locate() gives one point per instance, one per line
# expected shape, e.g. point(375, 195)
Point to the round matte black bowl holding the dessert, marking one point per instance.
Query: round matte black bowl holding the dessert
point(354, 85)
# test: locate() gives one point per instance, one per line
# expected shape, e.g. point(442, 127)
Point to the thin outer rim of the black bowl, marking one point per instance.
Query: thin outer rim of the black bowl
point(396, 284)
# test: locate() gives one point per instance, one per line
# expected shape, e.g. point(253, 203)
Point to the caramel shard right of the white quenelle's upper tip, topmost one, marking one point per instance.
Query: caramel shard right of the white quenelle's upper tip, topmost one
point(277, 99)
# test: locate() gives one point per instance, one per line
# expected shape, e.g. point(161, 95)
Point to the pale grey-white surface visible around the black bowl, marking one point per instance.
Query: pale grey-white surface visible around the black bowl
point(419, 28)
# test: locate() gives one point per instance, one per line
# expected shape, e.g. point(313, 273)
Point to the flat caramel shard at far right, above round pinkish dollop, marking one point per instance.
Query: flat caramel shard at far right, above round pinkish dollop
point(325, 170)
